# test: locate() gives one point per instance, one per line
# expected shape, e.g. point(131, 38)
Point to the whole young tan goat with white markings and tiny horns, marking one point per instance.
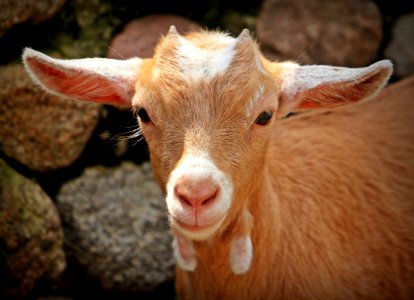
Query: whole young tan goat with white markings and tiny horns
point(319, 205)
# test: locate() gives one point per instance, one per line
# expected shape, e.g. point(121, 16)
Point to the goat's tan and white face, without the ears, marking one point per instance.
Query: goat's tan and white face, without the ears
point(207, 128)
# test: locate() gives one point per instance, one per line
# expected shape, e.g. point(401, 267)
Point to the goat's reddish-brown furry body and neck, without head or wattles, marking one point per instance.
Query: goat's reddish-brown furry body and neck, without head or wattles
point(334, 213)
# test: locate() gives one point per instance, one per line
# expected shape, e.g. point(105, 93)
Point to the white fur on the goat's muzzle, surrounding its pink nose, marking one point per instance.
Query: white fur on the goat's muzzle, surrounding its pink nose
point(200, 167)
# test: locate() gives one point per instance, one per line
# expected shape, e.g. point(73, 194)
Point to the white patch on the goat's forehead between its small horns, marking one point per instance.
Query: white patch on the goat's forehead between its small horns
point(205, 63)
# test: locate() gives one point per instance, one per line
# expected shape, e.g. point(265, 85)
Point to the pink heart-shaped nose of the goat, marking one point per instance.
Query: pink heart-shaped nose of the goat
point(196, 192)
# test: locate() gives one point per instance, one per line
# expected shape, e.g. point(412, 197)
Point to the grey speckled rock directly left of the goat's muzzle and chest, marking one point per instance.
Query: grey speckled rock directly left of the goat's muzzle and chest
point(116, 227)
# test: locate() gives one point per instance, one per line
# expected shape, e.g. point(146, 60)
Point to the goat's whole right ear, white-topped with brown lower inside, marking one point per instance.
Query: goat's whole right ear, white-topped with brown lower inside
point(312, 87)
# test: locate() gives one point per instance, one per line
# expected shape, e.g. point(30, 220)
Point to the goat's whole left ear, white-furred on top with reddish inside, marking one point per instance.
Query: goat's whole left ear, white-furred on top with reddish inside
point(99, 80)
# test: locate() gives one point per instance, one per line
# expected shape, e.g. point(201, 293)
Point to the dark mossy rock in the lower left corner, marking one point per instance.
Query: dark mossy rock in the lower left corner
point(31, 237)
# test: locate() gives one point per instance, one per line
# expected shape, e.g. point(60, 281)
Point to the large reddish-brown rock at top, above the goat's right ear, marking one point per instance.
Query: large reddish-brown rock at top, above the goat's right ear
point(336, 32)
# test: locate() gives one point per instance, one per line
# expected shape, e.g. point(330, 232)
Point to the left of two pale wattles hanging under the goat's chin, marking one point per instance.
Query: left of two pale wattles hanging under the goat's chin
point(184, 253)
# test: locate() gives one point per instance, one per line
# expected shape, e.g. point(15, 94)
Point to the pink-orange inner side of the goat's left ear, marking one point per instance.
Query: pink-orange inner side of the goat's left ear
point(74, 83)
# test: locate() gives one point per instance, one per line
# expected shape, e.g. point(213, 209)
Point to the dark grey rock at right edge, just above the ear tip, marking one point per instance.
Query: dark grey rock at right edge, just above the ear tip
point(401, 47)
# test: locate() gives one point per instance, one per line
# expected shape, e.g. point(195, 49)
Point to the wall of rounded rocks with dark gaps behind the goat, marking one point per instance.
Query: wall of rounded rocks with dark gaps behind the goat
point(80, 213)
